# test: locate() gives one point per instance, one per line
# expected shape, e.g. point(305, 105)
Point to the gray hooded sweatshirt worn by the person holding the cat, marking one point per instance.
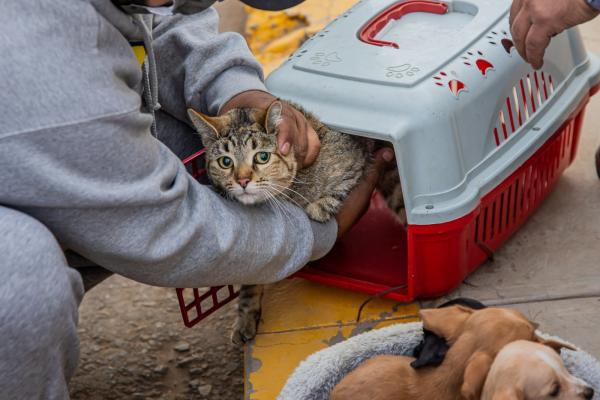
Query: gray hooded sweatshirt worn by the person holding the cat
point(78, 154)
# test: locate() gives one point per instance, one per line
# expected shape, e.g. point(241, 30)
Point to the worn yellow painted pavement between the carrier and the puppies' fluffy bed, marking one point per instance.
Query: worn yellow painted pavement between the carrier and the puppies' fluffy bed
point(302, 317)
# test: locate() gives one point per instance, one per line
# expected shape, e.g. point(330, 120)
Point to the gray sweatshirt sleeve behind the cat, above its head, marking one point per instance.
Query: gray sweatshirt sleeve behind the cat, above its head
point(199, 67)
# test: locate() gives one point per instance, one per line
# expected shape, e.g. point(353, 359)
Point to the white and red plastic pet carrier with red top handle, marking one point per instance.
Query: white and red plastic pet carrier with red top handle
point(480, 137)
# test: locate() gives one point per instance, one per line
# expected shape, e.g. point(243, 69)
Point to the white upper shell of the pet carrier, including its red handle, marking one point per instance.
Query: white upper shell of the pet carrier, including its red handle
point(443, 82)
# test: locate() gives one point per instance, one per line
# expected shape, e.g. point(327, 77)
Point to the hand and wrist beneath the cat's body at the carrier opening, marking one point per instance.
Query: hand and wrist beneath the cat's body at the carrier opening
point(357, 203)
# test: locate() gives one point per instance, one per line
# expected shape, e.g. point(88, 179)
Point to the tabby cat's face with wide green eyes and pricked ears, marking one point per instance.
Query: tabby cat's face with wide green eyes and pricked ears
point(242, 158)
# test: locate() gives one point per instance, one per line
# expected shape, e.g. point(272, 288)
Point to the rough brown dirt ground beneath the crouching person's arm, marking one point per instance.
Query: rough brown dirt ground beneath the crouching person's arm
point(135, 346)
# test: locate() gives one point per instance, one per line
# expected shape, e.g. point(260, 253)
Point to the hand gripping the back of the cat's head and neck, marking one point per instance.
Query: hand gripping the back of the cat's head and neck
point(294, 130)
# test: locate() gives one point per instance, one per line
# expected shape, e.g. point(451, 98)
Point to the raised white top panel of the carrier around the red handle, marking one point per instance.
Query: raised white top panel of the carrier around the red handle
point(397, 43)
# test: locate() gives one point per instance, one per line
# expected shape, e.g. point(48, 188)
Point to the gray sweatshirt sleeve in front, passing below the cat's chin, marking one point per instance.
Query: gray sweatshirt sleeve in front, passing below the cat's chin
point(111, 192)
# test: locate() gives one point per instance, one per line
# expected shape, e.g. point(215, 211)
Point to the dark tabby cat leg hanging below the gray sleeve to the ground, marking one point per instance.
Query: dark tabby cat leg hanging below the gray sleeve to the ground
point(249, 310)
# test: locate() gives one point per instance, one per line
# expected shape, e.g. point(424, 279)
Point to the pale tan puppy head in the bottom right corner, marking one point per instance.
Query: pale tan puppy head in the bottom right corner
point(525, 370)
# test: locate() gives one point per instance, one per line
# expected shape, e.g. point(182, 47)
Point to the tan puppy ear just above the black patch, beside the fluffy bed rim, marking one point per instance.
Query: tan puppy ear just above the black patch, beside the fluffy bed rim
point(445, 322)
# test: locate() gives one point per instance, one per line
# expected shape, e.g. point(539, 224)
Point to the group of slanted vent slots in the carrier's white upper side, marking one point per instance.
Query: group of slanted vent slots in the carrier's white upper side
point(525, 99)
